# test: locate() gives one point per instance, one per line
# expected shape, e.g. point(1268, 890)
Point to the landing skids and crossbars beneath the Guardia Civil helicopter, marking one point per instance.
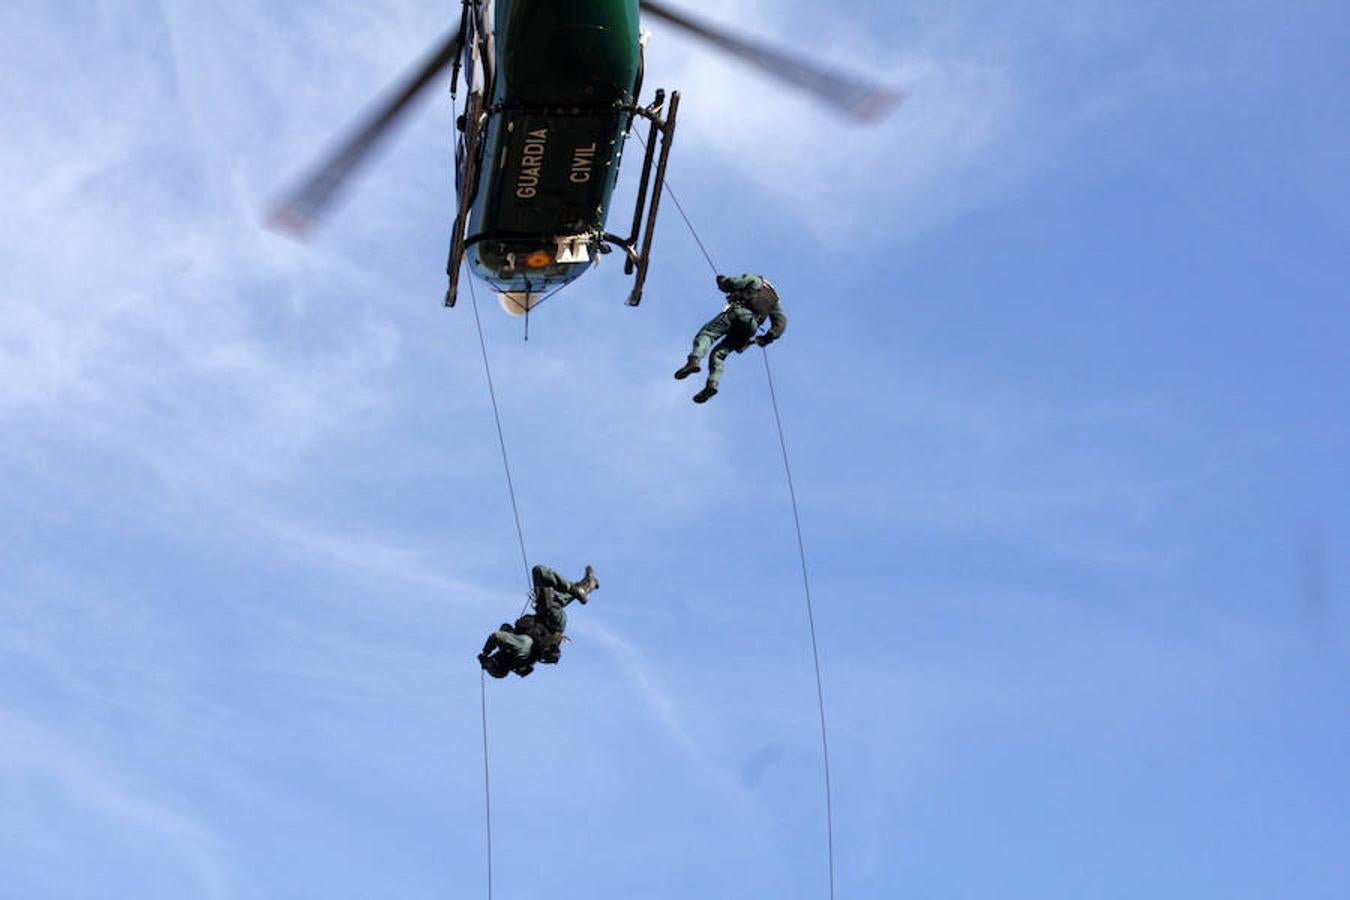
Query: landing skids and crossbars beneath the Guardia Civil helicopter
point(637, 246)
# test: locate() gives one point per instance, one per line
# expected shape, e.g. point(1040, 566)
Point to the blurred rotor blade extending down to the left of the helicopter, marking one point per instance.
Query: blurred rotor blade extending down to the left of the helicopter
point(313, 198)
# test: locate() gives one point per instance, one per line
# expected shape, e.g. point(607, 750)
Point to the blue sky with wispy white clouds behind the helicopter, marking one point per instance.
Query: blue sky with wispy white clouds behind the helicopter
point(1066, 396)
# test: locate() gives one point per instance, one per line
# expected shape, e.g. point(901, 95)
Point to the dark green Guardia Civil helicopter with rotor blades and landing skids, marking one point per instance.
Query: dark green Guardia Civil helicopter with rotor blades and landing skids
point(553, 92)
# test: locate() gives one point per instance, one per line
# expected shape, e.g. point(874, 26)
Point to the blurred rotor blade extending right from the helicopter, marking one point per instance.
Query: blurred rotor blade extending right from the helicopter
point(858, 99)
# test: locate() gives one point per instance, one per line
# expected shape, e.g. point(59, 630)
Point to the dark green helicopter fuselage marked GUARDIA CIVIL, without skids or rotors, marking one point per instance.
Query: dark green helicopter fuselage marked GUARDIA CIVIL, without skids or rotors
point(560, 83)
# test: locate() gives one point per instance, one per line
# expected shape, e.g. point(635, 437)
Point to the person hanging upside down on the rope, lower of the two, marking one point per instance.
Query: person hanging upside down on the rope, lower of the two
point(539, 636)
